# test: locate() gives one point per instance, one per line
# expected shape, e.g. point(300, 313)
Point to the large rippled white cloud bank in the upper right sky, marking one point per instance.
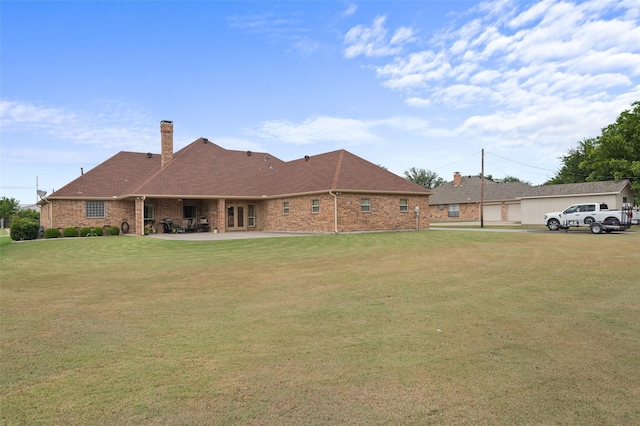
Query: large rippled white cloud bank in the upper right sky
point(510, 49)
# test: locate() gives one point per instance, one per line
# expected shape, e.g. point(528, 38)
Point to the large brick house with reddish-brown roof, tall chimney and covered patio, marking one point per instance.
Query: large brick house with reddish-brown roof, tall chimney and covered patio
point(221, 190)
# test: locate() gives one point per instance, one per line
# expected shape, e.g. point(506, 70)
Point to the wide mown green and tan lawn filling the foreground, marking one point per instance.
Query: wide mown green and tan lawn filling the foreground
point(447, 327)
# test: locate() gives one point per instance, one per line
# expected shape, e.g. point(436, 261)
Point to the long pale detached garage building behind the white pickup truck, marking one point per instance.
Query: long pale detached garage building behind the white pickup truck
point(552, 198)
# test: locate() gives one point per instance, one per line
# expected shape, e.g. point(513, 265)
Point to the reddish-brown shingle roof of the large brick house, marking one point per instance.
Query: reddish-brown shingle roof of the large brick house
point(204, 170)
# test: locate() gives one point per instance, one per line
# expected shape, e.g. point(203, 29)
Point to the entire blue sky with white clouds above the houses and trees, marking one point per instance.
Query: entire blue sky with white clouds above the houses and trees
point(424, 84)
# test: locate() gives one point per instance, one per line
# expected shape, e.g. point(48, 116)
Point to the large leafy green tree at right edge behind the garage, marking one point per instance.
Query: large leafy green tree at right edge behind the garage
point(613, 155)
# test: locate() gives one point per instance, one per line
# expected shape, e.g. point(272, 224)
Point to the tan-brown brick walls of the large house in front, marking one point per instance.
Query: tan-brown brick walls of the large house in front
point(385, 213)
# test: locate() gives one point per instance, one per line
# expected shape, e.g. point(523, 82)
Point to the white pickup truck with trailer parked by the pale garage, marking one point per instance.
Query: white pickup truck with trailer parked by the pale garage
point(586, 214)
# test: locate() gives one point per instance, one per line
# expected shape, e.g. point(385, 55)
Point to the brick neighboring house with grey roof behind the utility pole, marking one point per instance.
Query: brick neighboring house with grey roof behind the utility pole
point(460, 200)
